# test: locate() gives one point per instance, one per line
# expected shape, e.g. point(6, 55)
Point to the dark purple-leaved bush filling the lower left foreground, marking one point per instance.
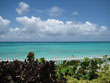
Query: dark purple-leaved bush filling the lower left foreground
point(26, 72)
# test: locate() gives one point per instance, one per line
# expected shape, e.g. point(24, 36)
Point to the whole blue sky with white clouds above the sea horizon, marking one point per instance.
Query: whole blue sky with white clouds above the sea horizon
point(54, 20)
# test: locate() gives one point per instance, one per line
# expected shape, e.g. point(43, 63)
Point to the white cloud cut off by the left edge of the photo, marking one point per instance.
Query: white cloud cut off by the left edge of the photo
point(3, 24)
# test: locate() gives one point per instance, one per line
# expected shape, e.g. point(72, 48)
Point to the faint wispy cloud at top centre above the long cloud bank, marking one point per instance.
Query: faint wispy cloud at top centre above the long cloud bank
point(55, 11)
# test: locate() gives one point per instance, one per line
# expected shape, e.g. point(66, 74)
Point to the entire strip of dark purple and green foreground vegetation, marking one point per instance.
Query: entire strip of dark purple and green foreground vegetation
point(94, 70)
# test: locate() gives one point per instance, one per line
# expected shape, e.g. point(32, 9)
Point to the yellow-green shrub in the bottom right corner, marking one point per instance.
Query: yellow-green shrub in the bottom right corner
point(103, 77)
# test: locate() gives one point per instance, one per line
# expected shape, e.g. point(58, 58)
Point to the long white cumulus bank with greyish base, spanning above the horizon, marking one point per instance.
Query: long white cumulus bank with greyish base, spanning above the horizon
point(35, 27)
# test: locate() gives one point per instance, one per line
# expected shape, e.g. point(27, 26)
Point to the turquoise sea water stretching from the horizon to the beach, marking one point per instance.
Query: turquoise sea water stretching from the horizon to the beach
point(20, 50)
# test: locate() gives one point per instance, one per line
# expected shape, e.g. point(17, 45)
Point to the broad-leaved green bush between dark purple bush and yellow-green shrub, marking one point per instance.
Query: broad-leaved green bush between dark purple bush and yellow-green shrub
point(86, 70)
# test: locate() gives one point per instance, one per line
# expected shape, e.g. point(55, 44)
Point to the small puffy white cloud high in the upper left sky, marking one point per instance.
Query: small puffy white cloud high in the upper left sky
point(23, 7)
